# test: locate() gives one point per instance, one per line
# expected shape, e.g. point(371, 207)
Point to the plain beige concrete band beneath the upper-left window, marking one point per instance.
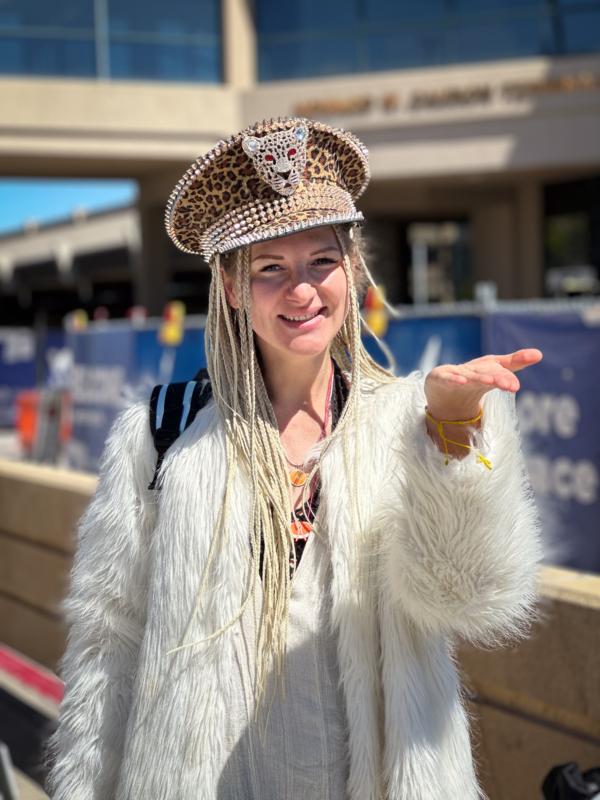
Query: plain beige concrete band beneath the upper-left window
point(127, 129)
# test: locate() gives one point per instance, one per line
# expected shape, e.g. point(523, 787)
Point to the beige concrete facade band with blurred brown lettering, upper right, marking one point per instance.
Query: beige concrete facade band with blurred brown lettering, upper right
point(478, 119)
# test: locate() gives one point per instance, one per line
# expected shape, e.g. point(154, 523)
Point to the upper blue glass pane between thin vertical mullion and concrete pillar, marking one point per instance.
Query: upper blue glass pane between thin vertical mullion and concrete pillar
point(180, 17)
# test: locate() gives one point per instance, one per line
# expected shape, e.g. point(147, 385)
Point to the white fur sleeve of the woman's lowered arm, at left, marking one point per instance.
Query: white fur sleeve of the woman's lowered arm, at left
point(105, 610)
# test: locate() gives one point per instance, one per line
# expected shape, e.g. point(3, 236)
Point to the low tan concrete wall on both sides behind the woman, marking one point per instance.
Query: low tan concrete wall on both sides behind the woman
point(532, 705)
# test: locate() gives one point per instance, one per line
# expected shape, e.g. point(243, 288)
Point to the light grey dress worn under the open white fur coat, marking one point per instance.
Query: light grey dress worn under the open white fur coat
point(304, 752)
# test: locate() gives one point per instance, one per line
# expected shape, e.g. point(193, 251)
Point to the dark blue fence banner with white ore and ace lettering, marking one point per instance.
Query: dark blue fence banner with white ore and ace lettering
point(560, 424)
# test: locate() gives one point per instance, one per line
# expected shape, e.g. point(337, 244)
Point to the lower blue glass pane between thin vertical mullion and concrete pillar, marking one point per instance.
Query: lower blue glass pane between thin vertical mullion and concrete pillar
point(165, 62)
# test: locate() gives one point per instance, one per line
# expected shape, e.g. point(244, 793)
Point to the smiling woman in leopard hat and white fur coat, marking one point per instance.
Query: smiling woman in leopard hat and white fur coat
point(279, 620)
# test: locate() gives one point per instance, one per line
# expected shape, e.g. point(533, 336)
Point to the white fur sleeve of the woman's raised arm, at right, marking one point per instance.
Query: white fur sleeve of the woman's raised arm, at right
point(462, 543)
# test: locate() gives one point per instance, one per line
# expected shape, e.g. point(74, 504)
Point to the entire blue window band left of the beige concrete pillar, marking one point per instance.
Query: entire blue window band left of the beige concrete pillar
point(139, 39)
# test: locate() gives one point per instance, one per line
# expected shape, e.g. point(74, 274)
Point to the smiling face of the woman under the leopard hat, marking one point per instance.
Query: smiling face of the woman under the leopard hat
point(299, 292)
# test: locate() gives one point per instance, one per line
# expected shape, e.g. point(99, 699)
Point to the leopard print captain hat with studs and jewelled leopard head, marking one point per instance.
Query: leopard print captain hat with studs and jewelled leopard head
point(274, 178)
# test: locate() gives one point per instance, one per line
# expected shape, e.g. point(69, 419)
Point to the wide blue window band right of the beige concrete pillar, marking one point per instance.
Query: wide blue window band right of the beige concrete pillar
point(395, 34)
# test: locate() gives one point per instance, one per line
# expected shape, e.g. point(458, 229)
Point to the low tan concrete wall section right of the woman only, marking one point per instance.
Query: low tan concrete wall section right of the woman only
point(536, 704)
